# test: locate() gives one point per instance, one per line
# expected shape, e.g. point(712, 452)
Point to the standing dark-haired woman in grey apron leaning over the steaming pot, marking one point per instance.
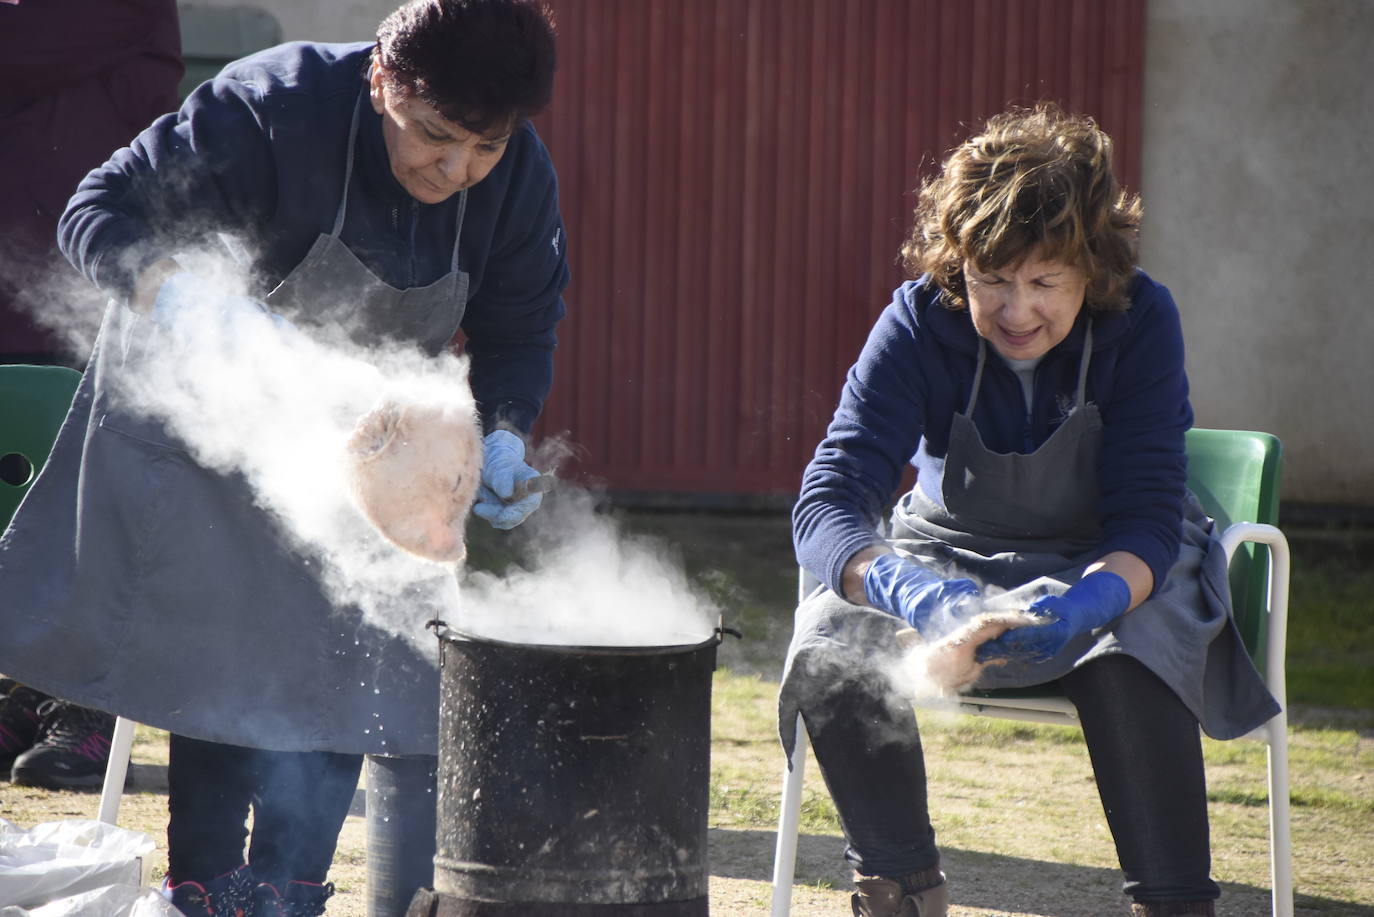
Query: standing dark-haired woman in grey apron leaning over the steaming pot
point(394, 189)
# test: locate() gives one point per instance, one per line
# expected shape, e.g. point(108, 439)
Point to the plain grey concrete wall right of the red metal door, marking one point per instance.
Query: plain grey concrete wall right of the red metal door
point(1259, 148)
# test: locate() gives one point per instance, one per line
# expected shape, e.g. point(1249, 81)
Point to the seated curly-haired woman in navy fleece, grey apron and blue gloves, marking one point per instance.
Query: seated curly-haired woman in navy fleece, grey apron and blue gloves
point(1034, 377)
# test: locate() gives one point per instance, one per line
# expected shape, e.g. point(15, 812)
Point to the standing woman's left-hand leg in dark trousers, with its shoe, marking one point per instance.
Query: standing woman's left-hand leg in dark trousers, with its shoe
point(210, 793)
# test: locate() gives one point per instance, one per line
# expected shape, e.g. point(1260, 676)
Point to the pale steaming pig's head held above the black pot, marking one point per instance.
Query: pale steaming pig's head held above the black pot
point(414, 472)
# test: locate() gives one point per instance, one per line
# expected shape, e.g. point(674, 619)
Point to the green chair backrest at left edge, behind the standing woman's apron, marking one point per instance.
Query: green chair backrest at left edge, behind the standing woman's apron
point(34, 404)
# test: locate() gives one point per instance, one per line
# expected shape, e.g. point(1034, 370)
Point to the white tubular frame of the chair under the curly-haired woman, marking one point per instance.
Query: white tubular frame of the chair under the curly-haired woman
point(1061, 711)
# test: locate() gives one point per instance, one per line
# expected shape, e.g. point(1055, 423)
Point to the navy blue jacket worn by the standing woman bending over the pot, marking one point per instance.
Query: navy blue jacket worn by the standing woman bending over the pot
point(260, 153)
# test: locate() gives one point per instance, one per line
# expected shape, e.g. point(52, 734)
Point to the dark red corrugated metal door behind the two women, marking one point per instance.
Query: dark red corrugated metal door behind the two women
point(737, 178)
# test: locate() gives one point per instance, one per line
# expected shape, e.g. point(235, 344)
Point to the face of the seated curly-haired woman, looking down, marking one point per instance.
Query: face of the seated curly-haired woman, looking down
point(1027, 309)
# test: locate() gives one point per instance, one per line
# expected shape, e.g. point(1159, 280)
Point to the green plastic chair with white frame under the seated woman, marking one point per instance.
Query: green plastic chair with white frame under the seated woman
point(1236, 476)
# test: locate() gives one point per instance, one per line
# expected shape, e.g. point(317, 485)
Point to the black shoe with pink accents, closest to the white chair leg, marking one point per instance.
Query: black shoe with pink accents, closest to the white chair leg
point(72, 749)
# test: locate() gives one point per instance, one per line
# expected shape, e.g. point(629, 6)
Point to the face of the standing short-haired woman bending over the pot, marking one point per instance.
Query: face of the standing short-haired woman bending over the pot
point(432, 157)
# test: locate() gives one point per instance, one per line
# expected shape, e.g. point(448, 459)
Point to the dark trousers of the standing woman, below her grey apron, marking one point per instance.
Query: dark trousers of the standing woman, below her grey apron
point(299, 801)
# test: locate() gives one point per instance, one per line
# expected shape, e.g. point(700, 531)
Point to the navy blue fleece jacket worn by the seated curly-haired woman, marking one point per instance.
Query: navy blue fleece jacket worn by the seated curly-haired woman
point(916, 373)
